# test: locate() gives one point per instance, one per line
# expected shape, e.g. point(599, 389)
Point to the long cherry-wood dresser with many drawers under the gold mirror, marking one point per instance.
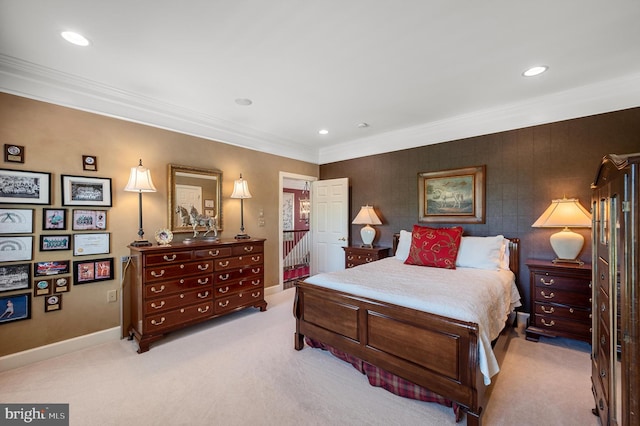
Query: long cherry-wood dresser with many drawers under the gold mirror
point(175, 286)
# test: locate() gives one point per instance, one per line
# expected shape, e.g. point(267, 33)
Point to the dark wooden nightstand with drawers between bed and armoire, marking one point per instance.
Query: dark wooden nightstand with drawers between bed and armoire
point(560, 300)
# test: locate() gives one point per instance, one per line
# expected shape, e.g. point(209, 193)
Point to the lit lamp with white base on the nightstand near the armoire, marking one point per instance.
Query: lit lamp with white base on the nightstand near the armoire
point(565, 213)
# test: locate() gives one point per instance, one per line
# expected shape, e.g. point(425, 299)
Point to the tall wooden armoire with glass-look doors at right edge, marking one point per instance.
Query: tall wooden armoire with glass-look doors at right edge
point(615, 352)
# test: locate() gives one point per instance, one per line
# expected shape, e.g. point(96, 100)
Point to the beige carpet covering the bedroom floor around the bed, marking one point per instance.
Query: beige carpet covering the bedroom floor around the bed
point(243, 370)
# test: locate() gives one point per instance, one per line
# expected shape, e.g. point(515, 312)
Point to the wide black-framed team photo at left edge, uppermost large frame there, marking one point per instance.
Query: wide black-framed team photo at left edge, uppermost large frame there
point(22, 187)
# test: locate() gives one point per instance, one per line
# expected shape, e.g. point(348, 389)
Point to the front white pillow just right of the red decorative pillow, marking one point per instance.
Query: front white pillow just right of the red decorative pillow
point(481, 252)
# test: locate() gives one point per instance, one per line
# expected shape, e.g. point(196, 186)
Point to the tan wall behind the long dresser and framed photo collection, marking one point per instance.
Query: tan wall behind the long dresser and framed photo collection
point(55, 138)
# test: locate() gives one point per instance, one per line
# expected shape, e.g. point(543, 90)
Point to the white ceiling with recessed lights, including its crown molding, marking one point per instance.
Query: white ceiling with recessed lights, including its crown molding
point(418, 72)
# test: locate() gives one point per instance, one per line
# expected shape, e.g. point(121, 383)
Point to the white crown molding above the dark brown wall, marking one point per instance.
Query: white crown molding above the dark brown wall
point(607, 96)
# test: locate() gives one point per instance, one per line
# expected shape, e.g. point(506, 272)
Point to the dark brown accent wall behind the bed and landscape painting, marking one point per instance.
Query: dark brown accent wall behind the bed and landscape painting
point(525, 170)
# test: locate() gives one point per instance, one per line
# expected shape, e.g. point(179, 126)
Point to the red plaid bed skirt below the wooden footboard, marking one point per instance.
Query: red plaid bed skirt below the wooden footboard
point(390, 382)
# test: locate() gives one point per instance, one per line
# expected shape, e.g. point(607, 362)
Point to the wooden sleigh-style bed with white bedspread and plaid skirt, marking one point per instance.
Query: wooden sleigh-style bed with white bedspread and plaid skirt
point(446, 356)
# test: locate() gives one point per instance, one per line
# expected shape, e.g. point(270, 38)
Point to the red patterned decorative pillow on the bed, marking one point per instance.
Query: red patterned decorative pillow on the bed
point(436, 247)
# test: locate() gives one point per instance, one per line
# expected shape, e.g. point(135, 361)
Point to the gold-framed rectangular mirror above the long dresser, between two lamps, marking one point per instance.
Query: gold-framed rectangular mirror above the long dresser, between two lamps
point(190, 186)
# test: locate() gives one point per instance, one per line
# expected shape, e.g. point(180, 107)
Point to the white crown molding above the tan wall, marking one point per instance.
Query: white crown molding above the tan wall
point(33, 81)
